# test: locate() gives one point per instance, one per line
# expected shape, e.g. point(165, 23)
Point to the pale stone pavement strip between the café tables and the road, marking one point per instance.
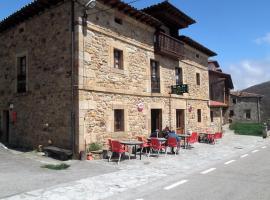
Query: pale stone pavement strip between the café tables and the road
point(134, 173)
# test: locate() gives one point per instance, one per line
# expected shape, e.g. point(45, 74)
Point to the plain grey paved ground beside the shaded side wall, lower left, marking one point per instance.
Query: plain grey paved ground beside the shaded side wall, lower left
point(22, 172)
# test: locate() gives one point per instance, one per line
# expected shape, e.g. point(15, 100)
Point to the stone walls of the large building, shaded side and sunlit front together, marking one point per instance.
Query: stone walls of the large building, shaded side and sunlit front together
point(44, 111)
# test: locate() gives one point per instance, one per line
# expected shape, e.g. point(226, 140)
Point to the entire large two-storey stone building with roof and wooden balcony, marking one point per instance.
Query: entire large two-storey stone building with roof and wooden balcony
point(71, 77)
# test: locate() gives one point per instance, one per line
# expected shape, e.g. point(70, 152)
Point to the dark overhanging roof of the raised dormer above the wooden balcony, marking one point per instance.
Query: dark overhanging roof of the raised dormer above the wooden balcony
point(169, 15)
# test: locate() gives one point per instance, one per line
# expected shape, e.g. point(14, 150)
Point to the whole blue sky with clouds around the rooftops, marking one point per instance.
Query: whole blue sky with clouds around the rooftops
point(237, 30)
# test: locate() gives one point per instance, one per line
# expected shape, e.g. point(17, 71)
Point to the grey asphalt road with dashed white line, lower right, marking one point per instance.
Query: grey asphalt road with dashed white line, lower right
point(246, 177)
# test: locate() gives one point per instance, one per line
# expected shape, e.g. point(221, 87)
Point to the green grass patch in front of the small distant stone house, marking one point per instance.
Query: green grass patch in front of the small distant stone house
point(253, 129)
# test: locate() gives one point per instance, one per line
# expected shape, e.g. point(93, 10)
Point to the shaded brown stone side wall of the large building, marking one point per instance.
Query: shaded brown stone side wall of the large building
point(43, 112)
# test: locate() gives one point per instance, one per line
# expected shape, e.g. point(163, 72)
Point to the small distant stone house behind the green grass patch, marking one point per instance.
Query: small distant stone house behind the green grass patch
point(245, 107)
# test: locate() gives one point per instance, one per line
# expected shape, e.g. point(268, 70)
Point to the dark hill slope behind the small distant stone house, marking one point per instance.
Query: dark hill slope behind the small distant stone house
point(263, 89)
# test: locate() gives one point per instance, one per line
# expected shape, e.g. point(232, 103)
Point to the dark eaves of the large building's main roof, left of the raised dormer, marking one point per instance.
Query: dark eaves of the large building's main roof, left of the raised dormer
point(38, 6)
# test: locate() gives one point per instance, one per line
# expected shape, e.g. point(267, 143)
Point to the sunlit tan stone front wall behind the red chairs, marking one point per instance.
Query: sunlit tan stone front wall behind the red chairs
point(103, 88)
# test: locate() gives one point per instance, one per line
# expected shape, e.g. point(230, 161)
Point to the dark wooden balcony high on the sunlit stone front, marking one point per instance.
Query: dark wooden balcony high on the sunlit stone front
point(169, 46)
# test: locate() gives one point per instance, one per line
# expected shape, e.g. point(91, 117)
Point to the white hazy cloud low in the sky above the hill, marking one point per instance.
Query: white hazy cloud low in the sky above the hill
point(249, 72)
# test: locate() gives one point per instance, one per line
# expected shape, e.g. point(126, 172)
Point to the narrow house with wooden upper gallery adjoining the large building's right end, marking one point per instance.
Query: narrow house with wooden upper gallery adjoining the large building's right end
point(220, 85)
